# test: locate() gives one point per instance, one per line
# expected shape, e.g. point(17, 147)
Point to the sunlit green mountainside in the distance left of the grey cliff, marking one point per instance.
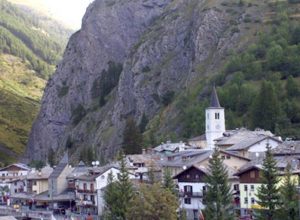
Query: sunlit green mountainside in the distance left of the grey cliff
point(30, 47)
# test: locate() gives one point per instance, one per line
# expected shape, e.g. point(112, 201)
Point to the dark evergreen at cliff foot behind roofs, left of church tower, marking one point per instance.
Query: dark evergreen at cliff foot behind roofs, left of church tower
point(132, 138)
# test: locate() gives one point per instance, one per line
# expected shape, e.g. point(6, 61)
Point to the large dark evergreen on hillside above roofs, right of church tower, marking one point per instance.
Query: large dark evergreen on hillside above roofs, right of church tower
point(265, 109)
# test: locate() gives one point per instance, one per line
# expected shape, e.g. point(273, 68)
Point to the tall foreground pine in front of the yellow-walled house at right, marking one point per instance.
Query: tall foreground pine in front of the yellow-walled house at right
point(268, 192)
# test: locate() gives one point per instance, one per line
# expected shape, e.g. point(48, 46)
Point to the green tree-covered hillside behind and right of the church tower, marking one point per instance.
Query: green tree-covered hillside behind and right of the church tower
point(258, 82)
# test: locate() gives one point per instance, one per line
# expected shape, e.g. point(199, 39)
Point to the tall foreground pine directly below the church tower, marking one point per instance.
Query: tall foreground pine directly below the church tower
point(218, 196)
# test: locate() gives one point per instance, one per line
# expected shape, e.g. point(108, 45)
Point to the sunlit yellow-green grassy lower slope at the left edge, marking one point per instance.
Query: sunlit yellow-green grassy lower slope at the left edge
point(20, 93)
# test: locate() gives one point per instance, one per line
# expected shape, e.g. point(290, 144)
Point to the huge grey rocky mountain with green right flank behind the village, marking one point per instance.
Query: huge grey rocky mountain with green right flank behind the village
point(158, 59)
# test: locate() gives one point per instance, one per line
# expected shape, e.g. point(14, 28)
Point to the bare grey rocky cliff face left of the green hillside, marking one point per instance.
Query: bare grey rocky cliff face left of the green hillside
point(128, 57)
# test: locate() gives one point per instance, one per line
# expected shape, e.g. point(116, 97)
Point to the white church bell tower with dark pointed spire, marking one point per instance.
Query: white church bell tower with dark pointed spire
point(214, 120)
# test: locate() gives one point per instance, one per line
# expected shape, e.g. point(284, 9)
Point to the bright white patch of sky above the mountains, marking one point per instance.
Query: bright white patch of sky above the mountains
point(70, 12)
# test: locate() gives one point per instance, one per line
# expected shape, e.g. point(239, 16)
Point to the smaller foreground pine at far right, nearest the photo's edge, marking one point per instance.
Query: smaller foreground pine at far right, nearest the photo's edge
point(289, 201)
